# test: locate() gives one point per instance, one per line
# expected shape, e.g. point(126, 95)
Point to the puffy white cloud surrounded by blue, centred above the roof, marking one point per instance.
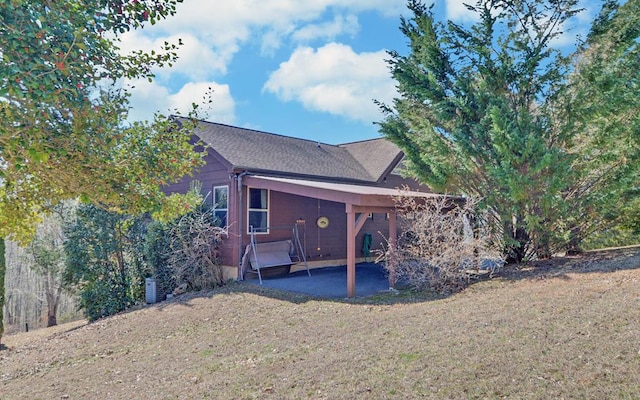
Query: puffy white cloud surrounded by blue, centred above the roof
point(336, 80)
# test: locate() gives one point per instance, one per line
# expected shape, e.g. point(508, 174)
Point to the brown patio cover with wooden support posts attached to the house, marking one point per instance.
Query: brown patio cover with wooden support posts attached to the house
point(359, 201)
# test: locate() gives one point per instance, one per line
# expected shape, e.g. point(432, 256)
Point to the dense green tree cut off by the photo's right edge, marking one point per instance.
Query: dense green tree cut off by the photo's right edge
point(601, 107)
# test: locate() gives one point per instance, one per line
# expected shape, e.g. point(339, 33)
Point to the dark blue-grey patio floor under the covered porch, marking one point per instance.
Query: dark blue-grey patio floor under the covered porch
point(330, 282)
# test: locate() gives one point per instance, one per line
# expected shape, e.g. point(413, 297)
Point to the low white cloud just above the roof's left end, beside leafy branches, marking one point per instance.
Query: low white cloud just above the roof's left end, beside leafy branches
point(152, 97)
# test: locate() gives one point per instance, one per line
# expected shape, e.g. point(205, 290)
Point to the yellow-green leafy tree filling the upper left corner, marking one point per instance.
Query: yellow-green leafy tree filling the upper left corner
point(63, 134)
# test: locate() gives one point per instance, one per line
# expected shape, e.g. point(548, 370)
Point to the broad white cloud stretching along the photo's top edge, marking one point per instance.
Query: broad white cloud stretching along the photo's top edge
point(220, 28)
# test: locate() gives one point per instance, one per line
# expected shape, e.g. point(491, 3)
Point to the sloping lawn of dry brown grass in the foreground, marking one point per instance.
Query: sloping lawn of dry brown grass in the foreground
point(564, 329)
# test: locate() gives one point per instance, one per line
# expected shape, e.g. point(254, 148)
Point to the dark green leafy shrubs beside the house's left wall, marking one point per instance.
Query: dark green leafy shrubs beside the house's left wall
point(108, 255)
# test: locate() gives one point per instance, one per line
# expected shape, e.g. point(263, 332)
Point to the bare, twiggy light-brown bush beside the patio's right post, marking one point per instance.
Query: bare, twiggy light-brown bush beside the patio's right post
point(439, 247)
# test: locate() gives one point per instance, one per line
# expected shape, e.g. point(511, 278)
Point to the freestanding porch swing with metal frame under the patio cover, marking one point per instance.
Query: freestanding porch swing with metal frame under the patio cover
point(282, 253)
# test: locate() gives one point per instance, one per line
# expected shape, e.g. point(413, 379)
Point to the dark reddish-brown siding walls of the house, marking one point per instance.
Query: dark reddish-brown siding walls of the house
point(323, 246)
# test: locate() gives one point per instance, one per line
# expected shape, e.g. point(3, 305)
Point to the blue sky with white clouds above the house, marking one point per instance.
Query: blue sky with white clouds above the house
point(304, 68)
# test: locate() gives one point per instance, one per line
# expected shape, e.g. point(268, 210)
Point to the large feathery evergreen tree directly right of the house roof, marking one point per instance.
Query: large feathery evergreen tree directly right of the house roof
point(481, 113)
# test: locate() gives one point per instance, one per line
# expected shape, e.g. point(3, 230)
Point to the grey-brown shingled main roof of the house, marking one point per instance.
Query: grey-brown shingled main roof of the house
point(255, 151)
